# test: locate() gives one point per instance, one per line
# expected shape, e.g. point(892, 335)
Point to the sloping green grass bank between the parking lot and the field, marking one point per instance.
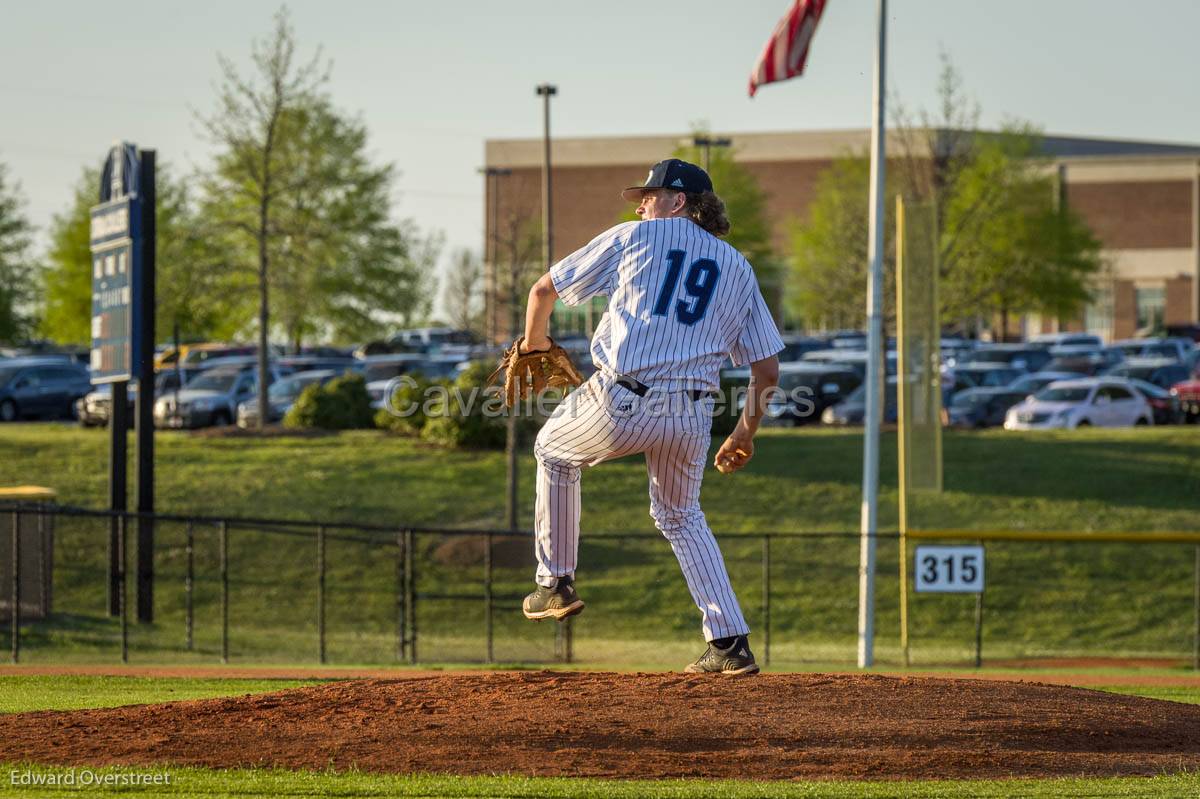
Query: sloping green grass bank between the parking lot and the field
point(1042, 598)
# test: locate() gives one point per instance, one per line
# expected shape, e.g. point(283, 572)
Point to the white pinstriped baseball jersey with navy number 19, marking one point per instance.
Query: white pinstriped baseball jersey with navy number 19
point(680, 302)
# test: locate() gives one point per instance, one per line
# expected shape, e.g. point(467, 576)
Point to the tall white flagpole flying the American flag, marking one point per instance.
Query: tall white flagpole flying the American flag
point(875, 368)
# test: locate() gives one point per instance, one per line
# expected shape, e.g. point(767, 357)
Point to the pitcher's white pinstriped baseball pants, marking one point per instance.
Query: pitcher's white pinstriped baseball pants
point(602, 422)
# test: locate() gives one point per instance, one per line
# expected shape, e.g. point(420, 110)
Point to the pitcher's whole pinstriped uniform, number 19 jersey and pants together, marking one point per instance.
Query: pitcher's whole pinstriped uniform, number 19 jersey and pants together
point(680, 302)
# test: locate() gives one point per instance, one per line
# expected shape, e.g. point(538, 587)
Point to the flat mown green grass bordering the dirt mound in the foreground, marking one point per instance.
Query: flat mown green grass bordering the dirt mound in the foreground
point(23, 693)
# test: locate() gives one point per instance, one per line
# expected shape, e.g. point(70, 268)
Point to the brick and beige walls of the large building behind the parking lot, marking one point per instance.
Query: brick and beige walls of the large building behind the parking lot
point(1142, 206)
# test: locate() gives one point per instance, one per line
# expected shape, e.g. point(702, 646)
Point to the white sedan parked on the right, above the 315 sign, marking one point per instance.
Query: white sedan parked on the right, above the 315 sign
point(1087, 402)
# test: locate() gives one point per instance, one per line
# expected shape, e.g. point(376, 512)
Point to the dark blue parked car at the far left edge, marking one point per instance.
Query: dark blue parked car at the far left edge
point(41, 388)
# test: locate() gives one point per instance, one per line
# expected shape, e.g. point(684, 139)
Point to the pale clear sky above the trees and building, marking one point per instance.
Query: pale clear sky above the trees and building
point(435, 80)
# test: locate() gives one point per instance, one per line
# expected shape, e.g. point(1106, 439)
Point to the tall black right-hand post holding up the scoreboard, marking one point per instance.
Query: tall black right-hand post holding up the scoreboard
point(146, 391)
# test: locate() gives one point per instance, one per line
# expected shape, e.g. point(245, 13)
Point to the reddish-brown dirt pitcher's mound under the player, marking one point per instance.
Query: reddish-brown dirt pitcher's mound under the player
point(547, 724)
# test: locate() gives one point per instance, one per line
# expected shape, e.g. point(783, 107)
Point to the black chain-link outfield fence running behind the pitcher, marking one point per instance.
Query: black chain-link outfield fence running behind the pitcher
point(263, 590)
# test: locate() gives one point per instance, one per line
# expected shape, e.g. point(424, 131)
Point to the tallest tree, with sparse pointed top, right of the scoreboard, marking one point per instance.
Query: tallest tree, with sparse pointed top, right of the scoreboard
point(299, 207)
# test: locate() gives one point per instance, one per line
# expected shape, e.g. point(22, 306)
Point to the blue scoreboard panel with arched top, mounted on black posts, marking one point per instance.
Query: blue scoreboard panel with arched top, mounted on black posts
point(117, 269)
